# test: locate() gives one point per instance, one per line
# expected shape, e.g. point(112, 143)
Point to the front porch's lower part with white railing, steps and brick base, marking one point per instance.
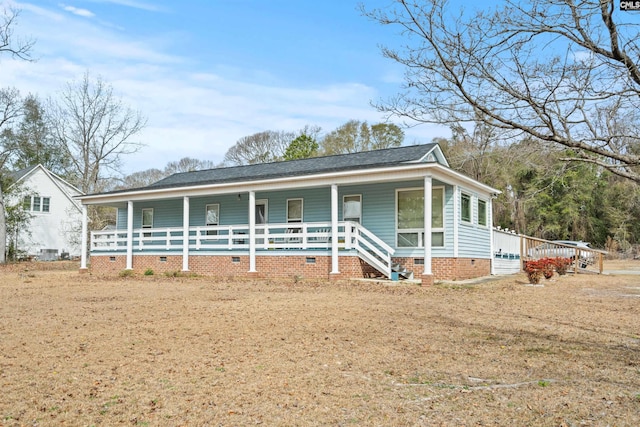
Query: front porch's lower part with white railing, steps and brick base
point(310, 249)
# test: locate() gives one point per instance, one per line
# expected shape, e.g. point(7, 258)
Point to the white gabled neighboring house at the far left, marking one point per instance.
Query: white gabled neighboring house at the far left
point(55, 225)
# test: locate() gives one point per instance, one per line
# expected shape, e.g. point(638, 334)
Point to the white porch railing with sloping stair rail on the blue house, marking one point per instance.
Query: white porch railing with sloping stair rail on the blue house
point(300, 236)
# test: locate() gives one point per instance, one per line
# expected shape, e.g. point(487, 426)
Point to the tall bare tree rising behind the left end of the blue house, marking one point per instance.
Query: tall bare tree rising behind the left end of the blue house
point(95, 130)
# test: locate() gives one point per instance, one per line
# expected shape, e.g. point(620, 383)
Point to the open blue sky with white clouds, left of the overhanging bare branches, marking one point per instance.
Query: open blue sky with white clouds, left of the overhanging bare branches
point(208, 72)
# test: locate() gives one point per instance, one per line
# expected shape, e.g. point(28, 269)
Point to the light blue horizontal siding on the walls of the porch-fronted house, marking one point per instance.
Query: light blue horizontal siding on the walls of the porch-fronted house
point(378, 214)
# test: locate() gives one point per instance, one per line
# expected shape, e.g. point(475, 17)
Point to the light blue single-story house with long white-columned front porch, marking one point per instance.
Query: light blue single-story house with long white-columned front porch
point(344, 216)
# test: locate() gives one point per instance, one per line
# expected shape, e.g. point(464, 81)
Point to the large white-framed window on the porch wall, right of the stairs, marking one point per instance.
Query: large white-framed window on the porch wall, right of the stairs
point(410, 217)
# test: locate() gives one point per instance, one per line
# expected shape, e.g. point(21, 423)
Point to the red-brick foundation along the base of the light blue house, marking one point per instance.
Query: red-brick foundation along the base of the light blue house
point(290, 266)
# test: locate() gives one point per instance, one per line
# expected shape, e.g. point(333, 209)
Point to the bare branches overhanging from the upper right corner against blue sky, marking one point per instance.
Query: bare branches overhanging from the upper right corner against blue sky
point(556, 70)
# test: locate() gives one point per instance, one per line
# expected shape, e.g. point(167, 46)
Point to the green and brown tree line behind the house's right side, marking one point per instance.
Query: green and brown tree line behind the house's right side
point(545, 195)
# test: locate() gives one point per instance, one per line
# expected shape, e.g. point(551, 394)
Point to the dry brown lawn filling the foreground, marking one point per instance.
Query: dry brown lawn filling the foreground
point(82, 350)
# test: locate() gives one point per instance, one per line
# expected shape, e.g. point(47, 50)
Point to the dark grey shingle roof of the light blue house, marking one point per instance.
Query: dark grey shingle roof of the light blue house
point(316, 165)
